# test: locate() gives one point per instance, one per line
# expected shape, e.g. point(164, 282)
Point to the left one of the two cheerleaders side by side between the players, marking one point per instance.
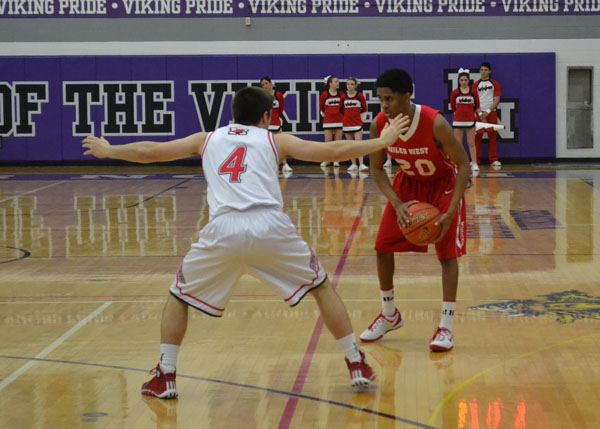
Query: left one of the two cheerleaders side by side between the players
point(329, 107)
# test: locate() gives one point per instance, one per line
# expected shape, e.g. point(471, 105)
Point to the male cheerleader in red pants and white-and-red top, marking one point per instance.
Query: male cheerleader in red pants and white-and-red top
point(489, 97)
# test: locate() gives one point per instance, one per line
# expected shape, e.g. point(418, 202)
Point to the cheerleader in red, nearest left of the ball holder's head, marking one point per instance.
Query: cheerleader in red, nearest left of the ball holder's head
point(353, 107)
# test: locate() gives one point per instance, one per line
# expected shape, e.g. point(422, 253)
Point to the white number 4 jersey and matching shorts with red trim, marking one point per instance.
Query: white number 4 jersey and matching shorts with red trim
point(247, 233)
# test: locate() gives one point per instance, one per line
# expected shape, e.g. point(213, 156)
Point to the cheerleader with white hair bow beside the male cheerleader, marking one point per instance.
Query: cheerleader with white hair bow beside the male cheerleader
point(465, 105)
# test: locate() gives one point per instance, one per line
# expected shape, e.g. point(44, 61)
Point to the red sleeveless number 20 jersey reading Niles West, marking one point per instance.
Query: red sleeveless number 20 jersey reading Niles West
point(419, 155)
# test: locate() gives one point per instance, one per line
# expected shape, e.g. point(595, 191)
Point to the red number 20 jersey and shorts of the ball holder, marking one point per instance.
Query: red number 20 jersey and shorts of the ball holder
point(427, 175)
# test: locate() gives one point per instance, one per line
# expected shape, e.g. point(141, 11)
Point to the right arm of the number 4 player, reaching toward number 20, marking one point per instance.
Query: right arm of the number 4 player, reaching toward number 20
point(339, 150)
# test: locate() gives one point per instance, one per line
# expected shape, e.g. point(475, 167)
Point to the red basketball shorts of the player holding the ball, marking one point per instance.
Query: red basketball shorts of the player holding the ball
point(439, 193)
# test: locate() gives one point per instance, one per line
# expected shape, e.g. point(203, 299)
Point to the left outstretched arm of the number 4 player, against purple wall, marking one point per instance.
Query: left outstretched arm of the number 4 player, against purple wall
point(145, 151)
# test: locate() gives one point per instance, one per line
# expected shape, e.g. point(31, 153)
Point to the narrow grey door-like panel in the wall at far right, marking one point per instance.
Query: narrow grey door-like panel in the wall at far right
point(580, 108)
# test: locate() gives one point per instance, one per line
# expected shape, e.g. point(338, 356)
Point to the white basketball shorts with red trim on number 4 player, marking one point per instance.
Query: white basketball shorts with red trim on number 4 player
point(262, 242)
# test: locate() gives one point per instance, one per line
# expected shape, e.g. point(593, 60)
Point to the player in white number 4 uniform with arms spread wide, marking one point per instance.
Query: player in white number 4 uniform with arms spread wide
point(247, 231)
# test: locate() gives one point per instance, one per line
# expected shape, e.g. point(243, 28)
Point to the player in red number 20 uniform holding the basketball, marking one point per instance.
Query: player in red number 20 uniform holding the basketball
point(434, 168)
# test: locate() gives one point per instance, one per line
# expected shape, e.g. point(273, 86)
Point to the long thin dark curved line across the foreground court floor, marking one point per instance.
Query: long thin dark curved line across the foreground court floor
point(234, 384)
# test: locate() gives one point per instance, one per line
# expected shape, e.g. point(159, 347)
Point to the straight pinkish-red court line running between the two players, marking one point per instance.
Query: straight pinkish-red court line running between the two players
point(290, 406)
